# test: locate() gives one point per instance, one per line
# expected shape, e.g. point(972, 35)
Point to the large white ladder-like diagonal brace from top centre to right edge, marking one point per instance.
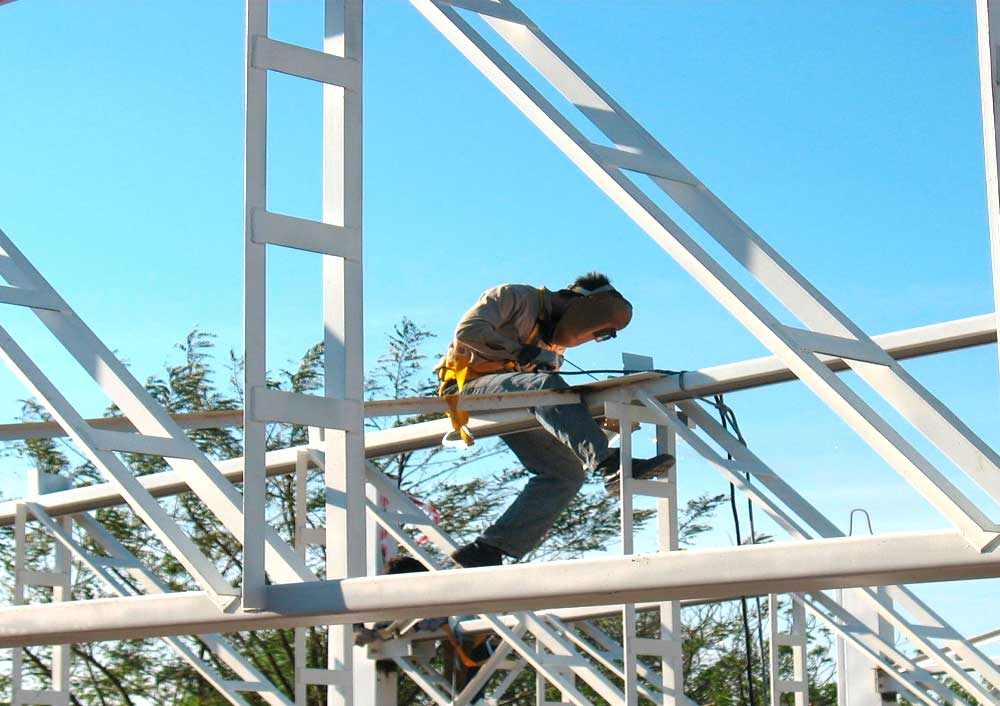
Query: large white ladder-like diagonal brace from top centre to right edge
point(827, 330)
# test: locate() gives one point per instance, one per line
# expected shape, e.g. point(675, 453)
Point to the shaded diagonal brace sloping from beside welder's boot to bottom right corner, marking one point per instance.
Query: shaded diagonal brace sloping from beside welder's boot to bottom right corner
point(912, 618)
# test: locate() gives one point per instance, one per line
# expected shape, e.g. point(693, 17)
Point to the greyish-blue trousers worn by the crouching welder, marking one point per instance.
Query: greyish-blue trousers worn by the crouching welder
point(558, 456)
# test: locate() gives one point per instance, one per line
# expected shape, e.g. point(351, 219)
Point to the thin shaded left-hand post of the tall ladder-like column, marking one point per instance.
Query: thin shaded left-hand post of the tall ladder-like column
point(254, 315)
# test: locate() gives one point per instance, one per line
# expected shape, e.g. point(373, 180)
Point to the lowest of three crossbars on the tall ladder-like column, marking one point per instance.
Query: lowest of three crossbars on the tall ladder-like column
point(307, 410)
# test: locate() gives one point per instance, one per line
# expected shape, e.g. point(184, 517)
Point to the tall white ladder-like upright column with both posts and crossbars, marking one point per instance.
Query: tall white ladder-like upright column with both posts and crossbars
point(337, 238)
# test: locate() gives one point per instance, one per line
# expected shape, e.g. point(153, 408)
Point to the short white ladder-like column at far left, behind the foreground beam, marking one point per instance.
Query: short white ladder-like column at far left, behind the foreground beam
point(59, 579)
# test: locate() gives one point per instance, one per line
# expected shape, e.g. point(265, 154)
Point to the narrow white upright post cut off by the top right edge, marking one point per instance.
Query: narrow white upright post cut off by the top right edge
point(988, 22)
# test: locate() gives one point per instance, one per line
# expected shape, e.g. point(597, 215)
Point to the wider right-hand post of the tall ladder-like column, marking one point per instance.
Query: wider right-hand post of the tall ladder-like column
point(344, 332)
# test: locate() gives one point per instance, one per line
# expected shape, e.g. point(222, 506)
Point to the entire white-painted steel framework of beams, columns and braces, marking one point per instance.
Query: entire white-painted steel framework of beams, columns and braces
point(560, 649)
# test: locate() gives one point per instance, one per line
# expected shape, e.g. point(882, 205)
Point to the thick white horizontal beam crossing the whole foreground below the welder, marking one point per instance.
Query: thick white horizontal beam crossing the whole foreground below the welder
point(820, 564)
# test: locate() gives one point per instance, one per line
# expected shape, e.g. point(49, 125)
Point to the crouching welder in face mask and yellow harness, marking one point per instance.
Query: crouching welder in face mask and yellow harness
point(514, 339)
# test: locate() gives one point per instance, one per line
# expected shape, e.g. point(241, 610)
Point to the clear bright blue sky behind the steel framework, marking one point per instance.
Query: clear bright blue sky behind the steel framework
point(848, 134)
